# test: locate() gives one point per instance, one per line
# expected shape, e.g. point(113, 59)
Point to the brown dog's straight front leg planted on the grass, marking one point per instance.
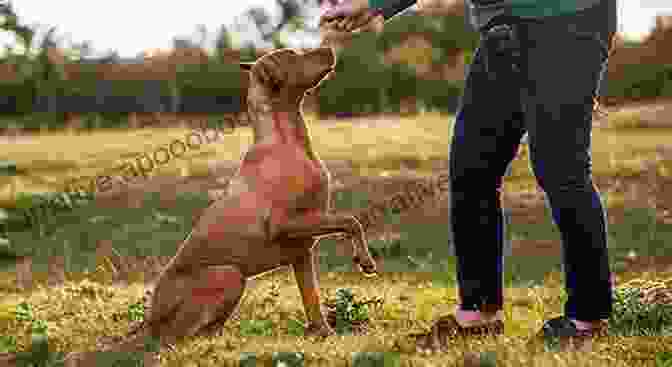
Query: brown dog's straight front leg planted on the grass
point(306, 272)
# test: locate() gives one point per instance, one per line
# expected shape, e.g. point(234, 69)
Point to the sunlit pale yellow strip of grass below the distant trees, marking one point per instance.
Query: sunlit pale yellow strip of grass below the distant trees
point(415, 141)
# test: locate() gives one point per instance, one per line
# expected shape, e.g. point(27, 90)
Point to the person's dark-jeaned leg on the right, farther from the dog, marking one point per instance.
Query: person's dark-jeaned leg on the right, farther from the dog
point(564, 59)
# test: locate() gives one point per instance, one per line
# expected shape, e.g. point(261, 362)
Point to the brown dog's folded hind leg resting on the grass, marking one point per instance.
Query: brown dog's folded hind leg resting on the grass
point(207, 295)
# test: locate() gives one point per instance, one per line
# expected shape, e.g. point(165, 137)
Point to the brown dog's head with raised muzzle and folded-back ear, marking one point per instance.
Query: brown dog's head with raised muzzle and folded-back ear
point(289, 73)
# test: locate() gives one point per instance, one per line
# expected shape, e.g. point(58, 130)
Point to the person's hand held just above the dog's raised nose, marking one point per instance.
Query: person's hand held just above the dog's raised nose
point(349, 15)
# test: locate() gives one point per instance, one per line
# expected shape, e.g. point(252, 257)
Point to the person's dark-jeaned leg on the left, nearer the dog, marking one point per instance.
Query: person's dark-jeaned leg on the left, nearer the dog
point(487, 134)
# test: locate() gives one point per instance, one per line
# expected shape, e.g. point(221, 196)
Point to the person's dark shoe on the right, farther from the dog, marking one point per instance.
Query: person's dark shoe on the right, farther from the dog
point(561, 333)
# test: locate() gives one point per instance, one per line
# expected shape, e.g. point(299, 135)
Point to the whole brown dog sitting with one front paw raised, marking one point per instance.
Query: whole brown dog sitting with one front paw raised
point(276, 208)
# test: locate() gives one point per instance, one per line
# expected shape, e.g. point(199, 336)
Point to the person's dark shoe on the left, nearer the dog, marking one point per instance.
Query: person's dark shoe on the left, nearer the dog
point(447, 328)
